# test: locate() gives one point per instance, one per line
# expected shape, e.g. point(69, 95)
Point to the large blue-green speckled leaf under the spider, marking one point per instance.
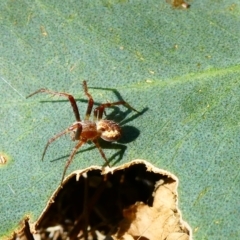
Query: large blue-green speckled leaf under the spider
point(179, 67)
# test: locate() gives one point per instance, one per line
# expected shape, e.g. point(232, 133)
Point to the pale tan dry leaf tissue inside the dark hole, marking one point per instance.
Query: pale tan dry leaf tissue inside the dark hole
point(160, 221)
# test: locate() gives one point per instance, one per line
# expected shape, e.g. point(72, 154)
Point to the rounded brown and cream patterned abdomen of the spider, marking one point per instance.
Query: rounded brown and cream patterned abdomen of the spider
point(109, 130)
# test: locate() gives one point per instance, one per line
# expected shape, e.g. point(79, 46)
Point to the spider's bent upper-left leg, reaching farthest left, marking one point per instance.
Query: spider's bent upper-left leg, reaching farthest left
point(70, 98)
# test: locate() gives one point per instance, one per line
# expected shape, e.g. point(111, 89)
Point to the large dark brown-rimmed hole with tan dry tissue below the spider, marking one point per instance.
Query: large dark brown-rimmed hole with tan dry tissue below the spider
point(133, 201)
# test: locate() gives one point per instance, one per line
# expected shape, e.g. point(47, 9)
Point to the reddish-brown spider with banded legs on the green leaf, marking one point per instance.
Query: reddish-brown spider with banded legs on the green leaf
point(87, 130)
